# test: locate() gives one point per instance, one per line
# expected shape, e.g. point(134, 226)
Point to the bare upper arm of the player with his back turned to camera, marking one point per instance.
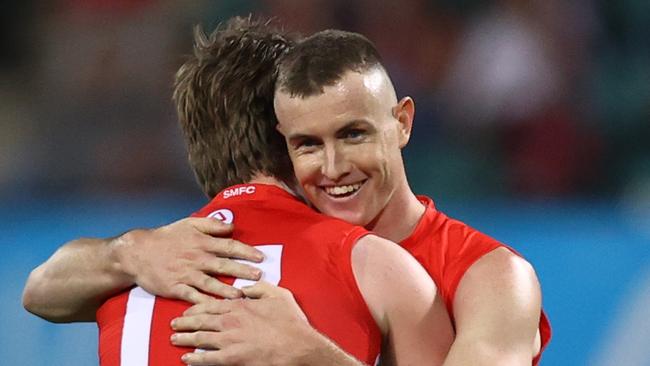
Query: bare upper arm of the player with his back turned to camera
point(403, 300)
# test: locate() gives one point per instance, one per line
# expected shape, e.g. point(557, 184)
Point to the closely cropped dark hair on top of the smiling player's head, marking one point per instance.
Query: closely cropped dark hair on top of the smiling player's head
point(321, 60)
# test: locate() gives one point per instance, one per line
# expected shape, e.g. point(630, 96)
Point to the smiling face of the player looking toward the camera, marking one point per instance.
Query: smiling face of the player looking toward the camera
point(345, 145)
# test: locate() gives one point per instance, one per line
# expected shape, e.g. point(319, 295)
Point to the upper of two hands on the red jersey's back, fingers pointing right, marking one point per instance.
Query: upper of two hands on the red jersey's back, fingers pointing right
point(177, 260)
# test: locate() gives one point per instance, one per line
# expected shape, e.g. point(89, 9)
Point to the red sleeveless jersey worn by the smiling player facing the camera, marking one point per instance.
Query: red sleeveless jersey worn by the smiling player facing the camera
point(446, 248)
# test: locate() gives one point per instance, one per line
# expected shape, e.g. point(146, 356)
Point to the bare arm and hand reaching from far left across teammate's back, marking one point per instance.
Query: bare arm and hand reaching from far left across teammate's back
point(171, 261)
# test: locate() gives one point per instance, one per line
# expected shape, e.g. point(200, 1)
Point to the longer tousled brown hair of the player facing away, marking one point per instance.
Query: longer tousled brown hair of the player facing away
point(224, 99)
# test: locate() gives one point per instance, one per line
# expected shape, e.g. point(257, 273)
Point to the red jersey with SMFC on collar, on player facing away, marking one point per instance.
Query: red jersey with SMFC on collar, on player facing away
point(315, 266)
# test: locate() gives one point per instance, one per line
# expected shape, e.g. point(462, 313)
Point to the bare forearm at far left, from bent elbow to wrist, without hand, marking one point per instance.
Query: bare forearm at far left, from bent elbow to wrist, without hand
point(72, 284)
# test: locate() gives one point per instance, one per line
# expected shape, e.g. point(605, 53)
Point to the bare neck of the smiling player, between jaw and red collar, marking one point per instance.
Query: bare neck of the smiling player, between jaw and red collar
point(401, 215)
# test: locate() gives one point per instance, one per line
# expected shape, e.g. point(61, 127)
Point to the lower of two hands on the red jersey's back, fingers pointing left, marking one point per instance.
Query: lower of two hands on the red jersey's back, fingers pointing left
point(268, 328)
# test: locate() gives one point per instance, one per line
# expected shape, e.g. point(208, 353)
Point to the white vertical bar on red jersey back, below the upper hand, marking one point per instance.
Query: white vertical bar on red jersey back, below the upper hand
point(137, 328)
